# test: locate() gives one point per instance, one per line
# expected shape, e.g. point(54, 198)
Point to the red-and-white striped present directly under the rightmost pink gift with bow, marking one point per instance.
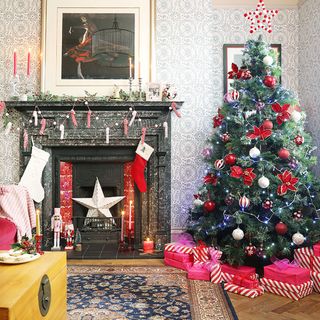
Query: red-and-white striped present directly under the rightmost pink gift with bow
point(294, 292)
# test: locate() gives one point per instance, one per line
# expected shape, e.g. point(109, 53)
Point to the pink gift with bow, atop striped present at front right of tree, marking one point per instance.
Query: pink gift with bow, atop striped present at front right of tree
point(283, 271)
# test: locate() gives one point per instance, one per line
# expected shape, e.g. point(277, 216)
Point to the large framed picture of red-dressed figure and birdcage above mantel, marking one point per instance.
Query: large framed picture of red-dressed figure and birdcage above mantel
point(93, 45)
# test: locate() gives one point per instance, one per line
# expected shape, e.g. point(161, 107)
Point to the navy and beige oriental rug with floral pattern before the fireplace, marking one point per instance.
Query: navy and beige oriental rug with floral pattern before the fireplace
point(153, 293)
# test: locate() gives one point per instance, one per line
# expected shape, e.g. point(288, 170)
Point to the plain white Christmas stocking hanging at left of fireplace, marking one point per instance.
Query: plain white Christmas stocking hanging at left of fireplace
point(31, 177)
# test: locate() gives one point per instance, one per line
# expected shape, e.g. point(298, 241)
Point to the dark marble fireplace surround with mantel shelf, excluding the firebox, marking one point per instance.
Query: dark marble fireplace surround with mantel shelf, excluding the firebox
point(153, 208)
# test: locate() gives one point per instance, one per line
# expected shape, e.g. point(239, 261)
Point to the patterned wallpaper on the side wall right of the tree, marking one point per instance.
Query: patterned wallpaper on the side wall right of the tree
point(309, 66)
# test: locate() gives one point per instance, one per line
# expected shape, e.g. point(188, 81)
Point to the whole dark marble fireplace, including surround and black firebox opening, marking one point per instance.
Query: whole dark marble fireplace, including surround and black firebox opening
point(90, 156)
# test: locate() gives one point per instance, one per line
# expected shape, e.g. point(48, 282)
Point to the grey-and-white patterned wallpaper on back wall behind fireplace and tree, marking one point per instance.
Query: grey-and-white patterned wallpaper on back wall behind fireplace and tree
point(190, 35)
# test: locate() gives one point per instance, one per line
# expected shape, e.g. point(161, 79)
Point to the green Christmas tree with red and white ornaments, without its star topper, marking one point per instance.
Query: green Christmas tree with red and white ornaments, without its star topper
point(259, 198)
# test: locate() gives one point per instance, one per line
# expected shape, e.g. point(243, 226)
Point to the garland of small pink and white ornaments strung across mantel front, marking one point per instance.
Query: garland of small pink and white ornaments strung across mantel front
point(126, 122)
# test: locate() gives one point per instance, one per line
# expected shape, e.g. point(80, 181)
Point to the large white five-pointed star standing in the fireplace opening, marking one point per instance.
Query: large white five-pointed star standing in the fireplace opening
point(98, 205)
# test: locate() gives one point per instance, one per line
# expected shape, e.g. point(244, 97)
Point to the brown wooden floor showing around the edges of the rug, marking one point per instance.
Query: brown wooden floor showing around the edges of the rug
point(266, 307)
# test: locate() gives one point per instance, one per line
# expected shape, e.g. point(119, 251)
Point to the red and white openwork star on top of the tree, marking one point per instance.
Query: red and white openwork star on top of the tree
point(260, 18)
